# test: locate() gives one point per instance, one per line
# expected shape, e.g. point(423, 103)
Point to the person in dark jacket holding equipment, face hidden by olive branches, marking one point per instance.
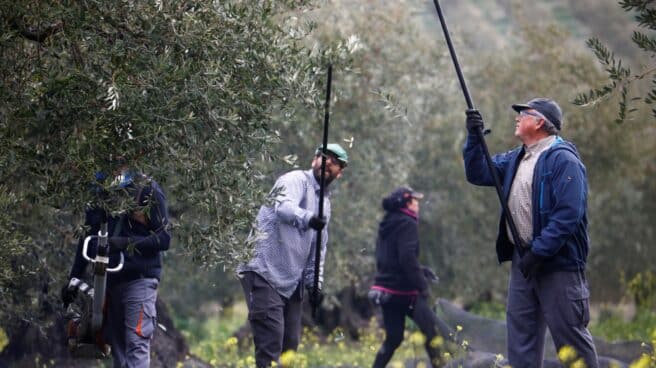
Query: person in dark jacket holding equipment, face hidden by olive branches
point(141, 235)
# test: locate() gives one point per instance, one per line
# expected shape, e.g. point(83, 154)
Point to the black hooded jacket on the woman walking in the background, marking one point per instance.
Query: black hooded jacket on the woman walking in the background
point(397, 253)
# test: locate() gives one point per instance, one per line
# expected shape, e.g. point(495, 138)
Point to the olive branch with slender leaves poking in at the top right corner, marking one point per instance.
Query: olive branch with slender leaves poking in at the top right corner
point(620, 78)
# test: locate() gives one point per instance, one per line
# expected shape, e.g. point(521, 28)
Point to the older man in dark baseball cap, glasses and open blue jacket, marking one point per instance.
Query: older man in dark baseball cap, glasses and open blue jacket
point(545, 185)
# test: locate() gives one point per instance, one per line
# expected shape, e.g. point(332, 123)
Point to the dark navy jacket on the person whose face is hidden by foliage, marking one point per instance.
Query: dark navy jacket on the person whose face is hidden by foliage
point(150, 239)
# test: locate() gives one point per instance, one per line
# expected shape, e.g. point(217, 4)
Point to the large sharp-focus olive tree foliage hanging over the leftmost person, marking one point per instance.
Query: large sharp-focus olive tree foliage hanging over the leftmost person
point(183, 91)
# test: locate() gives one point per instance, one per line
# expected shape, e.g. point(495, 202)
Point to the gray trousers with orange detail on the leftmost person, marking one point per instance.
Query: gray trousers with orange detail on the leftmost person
point(131, 321)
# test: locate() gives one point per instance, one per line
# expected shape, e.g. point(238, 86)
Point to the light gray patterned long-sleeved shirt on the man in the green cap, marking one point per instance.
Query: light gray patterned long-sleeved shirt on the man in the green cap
point(284, 256)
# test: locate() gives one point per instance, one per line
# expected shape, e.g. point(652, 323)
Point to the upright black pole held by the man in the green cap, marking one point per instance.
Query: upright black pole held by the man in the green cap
point(322, 186)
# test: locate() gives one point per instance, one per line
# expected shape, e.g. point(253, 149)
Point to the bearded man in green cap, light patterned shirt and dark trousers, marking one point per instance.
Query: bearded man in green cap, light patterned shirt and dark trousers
point(283, 264)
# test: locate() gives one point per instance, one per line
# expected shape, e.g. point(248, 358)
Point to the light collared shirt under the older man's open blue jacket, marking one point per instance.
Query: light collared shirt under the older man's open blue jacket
point(520, 201)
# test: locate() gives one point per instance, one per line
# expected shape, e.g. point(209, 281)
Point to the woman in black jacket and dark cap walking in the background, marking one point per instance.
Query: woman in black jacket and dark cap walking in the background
point(401, 285)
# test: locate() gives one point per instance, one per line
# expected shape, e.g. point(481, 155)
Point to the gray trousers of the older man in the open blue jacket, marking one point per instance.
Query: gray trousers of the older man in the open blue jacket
point(557, 300)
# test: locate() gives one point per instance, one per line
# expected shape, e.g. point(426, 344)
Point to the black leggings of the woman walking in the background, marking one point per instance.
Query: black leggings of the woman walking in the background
point(394, 313)
